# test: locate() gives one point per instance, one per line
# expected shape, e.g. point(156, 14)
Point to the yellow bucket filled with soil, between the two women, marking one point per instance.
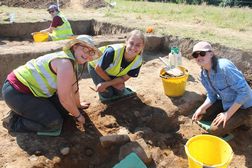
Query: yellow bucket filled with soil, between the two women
point(175, 86)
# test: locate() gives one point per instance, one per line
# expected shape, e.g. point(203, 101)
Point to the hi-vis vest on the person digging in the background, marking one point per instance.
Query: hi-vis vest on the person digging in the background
point(62, 32)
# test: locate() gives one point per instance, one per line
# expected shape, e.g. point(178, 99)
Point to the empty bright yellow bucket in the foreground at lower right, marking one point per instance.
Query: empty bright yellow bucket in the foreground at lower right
point(208, 151)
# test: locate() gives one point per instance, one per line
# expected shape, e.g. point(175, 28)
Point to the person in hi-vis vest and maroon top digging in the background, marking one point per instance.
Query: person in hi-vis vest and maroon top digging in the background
point(60, 27)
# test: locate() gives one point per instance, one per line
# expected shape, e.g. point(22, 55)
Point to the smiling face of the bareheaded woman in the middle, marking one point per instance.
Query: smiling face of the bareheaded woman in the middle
point(134, 46)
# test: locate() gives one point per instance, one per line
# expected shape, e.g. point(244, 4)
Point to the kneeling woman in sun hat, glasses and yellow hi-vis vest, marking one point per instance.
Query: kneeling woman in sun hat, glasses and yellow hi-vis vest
point(41, 92)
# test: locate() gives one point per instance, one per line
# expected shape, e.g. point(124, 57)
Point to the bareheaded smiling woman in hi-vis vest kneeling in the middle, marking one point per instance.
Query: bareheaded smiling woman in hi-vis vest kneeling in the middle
point(118, 63)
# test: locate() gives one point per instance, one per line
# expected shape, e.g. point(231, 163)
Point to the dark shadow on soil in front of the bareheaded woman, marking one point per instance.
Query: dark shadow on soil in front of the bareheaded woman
point(156, 127)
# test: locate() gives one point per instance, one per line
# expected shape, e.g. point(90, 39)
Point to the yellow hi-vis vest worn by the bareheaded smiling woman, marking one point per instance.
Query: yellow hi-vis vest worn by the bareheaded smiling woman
point(114, 68)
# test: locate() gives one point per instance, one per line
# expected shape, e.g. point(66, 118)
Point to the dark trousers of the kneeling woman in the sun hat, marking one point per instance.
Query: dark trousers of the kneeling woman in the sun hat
point(33, 113)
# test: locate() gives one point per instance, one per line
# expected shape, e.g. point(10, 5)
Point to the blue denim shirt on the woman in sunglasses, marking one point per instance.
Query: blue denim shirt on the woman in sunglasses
point(228, 84)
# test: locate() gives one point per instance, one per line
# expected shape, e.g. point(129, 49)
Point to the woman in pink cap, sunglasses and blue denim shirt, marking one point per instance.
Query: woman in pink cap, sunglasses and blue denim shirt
point(229, 97)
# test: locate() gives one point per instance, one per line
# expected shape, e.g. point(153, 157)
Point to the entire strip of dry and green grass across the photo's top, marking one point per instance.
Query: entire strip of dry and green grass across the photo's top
point(229, 26)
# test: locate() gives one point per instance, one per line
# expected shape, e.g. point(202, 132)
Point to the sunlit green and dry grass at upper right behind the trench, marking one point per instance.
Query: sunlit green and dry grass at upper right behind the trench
point(229, 26)
